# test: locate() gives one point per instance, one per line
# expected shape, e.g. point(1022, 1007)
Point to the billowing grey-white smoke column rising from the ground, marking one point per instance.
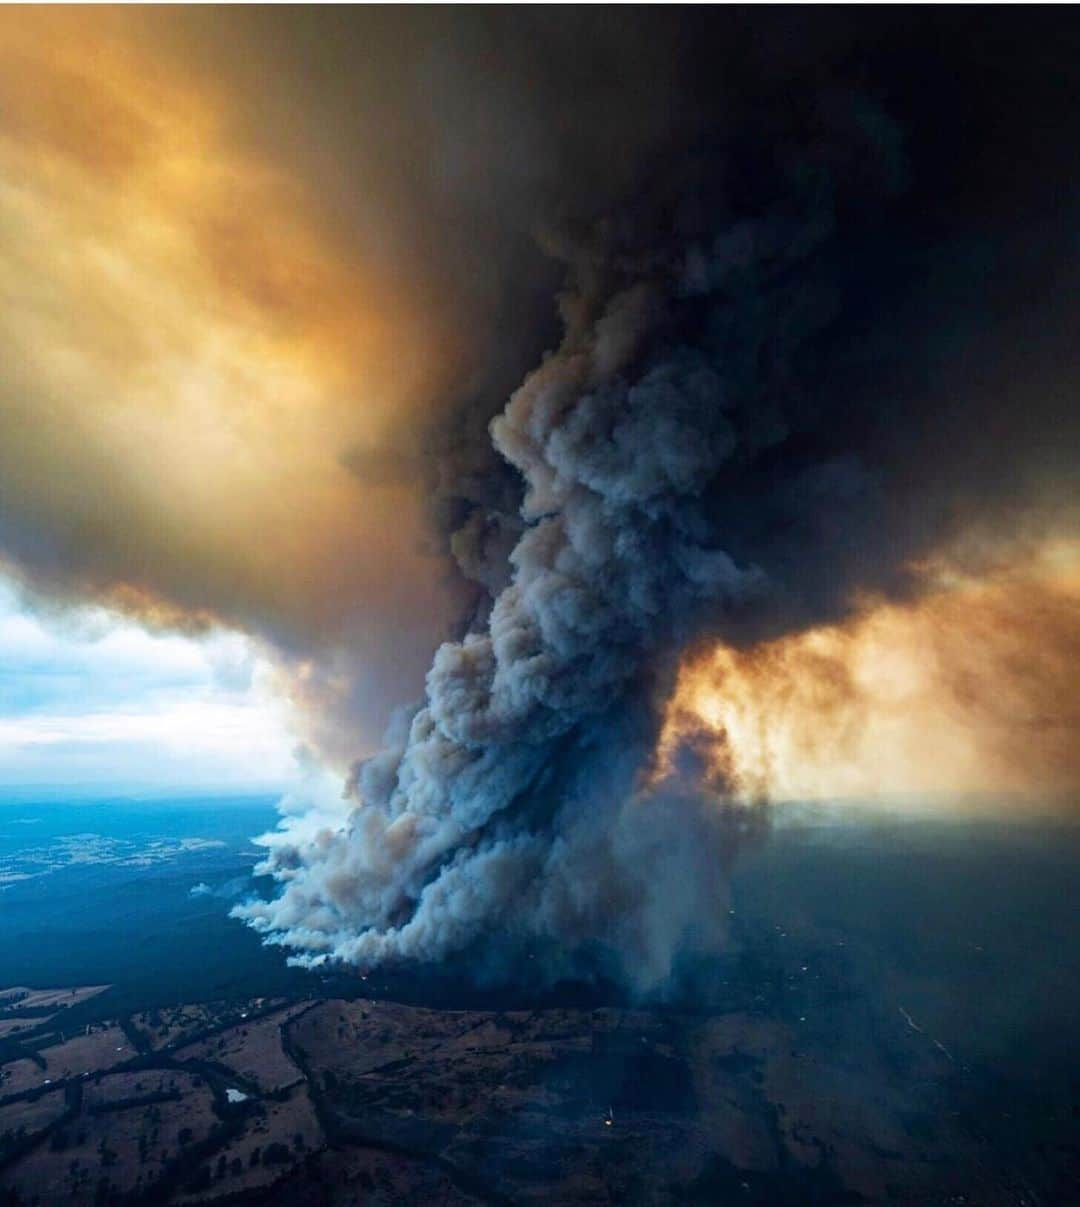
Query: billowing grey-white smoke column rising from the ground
point(500, 806)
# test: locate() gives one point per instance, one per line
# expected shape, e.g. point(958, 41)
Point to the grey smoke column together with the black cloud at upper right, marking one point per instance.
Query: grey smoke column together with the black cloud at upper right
point(749, 422)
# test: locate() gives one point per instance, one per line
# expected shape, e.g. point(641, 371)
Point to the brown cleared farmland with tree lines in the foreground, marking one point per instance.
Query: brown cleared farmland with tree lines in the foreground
point(376, 1103)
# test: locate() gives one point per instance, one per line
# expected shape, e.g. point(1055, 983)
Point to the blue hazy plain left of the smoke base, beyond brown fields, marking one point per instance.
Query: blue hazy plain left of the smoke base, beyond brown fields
point(103, 891)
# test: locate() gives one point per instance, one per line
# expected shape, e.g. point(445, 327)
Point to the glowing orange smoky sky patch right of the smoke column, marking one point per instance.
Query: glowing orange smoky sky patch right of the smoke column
point(968, 691)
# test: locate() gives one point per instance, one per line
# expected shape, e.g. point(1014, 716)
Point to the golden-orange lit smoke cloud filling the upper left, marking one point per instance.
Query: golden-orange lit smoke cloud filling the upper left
point(190, 353)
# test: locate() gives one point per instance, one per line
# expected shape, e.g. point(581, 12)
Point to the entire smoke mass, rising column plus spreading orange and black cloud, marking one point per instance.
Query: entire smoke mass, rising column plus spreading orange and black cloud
point(593, 345)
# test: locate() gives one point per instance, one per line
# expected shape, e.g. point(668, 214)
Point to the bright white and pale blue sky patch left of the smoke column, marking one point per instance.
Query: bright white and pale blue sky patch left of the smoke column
point(95, 702)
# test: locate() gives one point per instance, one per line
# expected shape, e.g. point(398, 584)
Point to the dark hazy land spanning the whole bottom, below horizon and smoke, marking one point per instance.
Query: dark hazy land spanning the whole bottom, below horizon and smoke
point(894, 1023)
